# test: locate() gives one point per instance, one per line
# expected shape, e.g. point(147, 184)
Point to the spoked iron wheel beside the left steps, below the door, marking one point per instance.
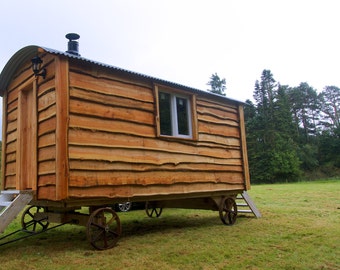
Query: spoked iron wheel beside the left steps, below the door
point(31, 223)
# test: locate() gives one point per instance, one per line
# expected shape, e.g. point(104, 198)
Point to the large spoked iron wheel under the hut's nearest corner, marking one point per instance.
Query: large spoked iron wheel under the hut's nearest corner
point(103, 228)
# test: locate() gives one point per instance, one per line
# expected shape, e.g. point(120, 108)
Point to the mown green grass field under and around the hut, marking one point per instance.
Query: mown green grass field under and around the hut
point(300, 229)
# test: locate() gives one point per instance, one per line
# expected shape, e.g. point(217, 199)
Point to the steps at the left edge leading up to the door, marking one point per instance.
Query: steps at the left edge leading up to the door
point(12, 202)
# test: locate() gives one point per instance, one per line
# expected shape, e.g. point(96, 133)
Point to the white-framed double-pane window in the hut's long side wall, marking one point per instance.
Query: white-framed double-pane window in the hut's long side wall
point(174, 115)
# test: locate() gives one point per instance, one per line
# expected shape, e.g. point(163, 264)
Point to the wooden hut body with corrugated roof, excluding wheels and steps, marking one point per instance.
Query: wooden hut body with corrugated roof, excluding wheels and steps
point(80, 132)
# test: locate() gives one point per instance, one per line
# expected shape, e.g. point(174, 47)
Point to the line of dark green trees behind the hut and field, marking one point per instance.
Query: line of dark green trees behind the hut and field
point(292, 132)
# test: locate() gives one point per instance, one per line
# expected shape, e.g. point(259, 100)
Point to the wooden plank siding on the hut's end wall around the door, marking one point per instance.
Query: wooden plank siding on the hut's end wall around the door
point(45, 129)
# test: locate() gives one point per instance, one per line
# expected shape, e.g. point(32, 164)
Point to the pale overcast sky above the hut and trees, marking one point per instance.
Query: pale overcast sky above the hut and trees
point(185, 41)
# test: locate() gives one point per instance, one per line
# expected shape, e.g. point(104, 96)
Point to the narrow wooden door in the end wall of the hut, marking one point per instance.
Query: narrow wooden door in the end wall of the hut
point(27, 138)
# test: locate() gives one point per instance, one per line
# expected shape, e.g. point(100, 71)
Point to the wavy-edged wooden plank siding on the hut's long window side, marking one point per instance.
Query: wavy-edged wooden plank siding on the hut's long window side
point(114, 150)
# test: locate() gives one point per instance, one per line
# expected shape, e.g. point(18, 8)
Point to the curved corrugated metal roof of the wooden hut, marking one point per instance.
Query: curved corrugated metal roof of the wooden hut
point(30, 51)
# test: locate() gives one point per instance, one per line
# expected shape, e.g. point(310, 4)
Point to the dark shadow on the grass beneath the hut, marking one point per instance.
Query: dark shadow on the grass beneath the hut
point(73, 237)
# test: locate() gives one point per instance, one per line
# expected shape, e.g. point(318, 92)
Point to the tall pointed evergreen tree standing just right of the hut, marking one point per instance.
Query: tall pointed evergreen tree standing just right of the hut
point(269, 125)
